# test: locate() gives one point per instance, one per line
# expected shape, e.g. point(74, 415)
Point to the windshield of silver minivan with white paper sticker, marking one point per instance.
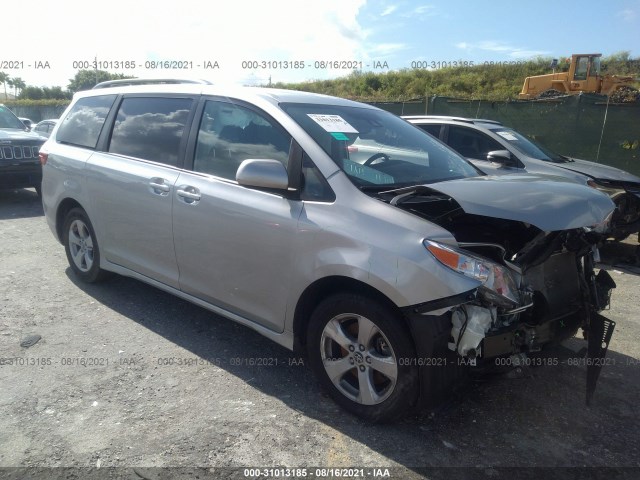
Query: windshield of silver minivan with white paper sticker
point(377, 149)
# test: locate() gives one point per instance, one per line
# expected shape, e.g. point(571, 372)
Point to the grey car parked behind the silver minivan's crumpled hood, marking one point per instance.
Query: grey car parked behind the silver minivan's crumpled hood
point(498, 150)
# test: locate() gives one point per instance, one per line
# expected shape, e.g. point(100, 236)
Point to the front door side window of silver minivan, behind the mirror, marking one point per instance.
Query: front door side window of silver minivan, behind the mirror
point(230, 134)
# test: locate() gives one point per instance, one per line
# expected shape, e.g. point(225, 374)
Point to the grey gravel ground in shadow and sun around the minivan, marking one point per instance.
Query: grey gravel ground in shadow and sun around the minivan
point(126, 376)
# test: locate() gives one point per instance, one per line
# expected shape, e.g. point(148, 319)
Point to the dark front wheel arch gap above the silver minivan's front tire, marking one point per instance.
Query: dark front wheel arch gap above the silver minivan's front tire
point(324, 288)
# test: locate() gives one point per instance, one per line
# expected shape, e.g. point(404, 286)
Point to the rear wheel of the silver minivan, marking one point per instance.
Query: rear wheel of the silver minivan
point(81, 246)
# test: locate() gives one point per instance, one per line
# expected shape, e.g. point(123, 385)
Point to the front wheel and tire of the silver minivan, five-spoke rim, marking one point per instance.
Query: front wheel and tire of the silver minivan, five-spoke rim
point(355, 346)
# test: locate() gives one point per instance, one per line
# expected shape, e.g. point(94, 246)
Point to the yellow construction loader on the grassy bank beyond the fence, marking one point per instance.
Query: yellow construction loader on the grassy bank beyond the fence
point(583, 76)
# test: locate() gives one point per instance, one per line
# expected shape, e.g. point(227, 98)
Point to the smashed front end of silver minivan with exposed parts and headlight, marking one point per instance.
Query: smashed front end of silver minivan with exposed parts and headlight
point(537, 281)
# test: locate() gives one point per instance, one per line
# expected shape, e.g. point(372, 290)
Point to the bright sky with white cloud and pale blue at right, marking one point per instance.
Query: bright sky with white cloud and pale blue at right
point(252, 42)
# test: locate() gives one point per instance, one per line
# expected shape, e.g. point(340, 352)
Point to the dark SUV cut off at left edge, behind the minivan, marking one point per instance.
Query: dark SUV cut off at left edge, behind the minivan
point(19, 164)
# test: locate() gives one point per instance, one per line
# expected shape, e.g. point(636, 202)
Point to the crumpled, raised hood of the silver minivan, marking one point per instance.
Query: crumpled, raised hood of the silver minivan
point(545, 202)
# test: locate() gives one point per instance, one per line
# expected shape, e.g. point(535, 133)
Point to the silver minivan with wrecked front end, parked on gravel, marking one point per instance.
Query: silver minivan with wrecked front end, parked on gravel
point(397, 274)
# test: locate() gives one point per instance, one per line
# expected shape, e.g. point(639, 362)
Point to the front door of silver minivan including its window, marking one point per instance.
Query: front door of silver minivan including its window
point(235, 245)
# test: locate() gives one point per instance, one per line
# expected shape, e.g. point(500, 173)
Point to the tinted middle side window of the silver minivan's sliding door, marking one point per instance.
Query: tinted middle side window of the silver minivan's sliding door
point(150, 128)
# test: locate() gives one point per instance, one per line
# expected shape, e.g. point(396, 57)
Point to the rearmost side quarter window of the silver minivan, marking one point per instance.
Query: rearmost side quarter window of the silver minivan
point(83, 123)
